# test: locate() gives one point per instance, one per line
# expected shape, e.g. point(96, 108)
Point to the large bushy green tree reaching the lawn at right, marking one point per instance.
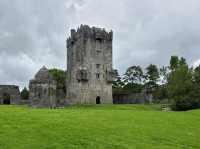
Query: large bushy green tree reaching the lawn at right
point(181, 87)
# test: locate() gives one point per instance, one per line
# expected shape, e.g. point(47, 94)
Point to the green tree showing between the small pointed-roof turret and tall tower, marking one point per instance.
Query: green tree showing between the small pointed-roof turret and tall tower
point(60, 77)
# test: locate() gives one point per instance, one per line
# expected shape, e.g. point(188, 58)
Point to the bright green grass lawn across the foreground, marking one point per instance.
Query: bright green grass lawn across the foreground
point(101, 127)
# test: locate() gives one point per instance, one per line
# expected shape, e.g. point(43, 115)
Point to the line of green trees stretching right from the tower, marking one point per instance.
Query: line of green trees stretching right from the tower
point(176, 84)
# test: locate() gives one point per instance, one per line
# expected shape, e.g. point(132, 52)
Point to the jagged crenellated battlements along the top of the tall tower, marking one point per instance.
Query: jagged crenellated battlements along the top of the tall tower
point(86, 32)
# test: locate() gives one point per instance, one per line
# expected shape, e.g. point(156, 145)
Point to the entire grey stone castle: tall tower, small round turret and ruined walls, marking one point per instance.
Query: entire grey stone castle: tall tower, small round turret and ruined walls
point(89, 75)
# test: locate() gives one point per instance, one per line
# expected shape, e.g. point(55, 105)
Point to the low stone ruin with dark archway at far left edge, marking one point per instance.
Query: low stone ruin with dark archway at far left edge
point(9, 94)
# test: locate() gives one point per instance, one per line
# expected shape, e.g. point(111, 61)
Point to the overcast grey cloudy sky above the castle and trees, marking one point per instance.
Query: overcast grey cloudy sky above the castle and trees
point(33, 32)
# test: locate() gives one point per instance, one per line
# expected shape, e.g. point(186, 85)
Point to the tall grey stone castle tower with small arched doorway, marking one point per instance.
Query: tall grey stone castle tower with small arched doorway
point(89, 66)
